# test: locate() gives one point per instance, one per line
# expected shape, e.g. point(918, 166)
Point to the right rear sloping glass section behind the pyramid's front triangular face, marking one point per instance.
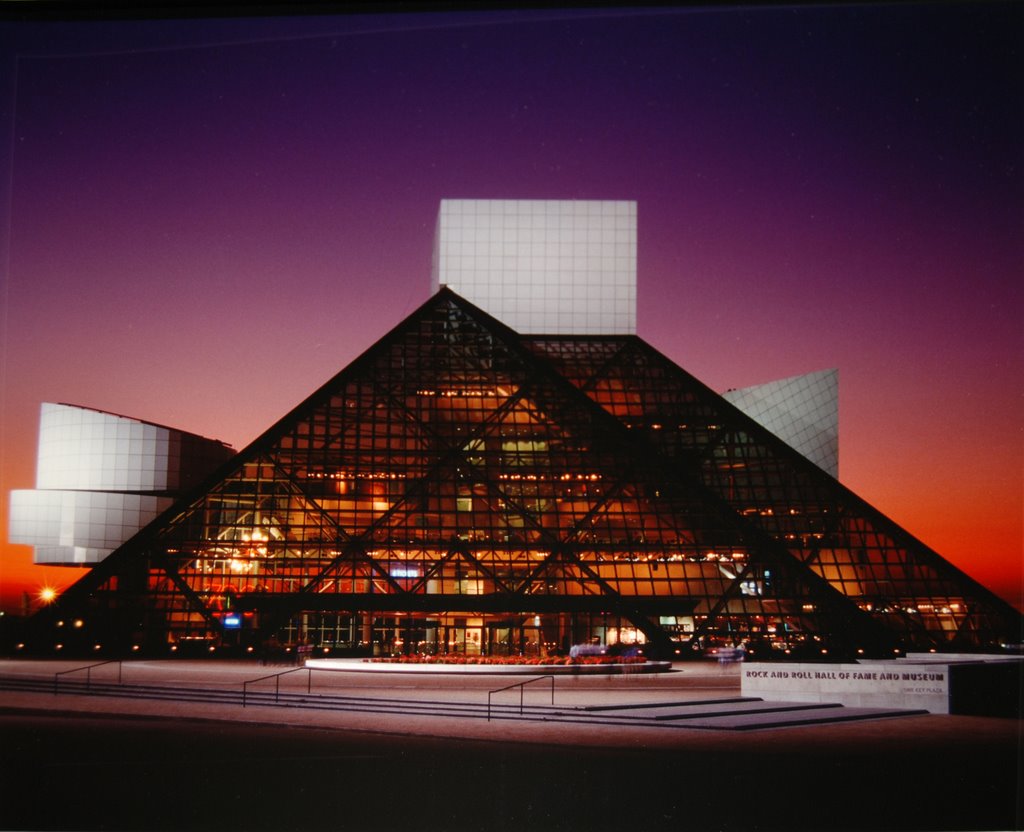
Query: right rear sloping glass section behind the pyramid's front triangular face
point(794, 503)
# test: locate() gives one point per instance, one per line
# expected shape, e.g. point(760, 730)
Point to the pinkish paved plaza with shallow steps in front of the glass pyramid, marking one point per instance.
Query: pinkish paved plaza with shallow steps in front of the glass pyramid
point(593, 711)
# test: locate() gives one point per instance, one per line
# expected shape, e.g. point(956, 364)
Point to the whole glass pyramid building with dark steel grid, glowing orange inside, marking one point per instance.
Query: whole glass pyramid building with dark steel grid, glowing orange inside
point(461, 487)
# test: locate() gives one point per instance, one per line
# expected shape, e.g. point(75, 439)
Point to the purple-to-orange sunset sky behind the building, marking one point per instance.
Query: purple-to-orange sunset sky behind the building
point(206, 220)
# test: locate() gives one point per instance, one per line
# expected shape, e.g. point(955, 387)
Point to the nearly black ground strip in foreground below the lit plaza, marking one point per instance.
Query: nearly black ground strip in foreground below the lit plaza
point(107, 772)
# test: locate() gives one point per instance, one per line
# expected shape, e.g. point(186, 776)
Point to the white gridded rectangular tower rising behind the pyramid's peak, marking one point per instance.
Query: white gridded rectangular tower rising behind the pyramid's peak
point(542, 267)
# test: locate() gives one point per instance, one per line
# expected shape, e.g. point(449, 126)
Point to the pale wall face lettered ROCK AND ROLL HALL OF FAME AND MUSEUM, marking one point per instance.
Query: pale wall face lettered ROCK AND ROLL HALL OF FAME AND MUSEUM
point(881, 685)
